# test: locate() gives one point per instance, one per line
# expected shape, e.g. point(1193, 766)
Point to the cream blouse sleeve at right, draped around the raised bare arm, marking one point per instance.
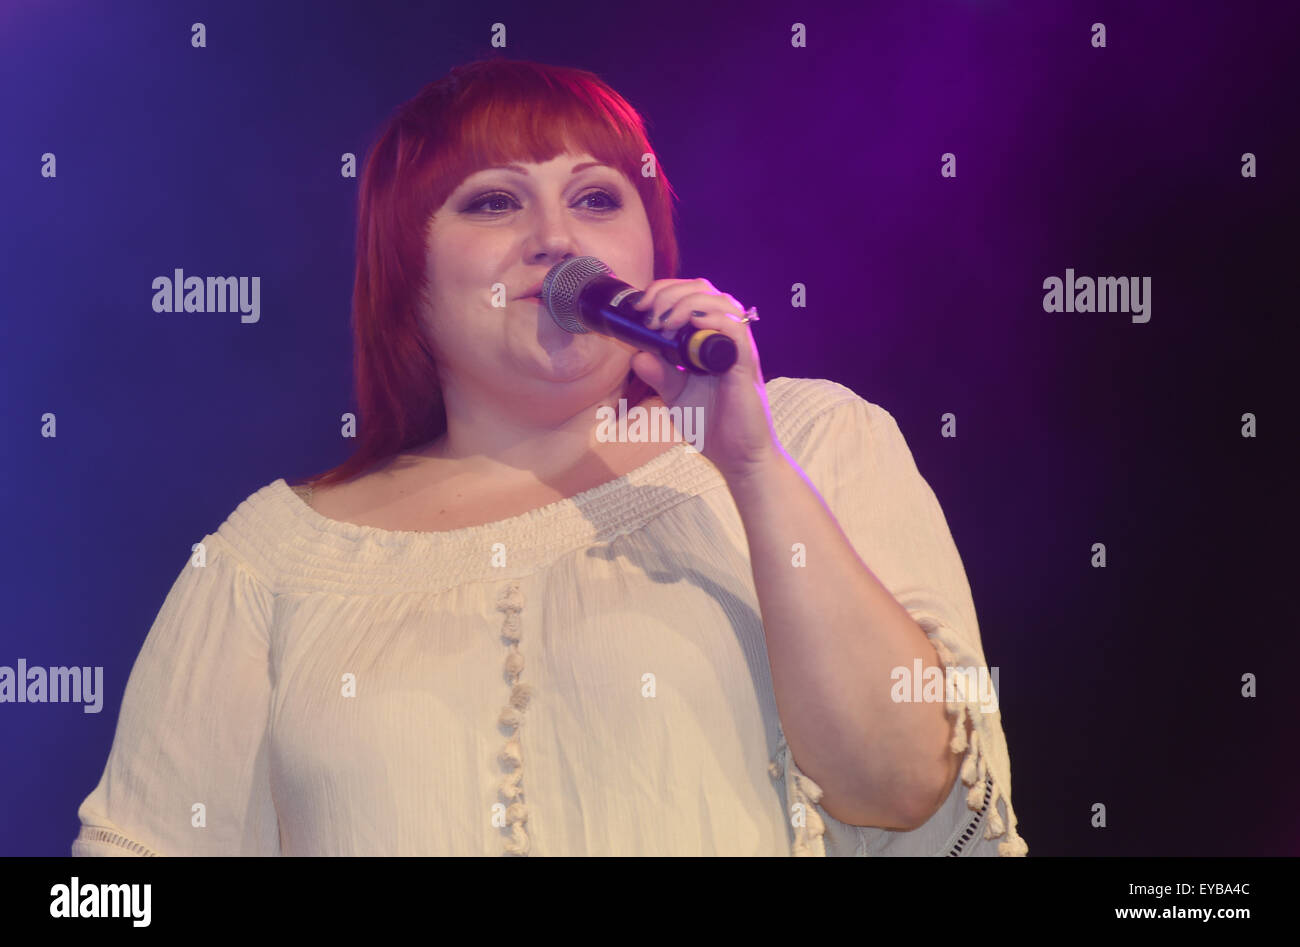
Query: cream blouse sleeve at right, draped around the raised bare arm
point(856, 456)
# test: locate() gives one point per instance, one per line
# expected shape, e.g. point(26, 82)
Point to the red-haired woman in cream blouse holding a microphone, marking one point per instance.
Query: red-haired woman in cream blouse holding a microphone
point(496, 629)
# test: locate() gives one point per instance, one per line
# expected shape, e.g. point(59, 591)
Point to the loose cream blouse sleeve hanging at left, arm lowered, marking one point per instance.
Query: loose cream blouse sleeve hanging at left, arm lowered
point(188, 772)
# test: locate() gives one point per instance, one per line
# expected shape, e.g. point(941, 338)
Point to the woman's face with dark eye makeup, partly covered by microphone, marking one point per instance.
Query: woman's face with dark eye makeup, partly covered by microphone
point(493, 243)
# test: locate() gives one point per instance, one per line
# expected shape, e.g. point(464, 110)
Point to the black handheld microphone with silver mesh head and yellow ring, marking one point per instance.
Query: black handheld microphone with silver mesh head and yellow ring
point(583, 296)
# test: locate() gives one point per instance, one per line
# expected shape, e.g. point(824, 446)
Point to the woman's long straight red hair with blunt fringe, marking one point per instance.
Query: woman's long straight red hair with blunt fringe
point(480, 115)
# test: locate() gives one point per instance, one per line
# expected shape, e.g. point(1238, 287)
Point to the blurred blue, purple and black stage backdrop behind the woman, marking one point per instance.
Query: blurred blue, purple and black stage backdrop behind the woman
point(820, 166)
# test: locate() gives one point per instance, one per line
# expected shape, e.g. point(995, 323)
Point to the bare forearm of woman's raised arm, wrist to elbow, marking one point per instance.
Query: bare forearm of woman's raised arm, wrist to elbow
point(834, 637)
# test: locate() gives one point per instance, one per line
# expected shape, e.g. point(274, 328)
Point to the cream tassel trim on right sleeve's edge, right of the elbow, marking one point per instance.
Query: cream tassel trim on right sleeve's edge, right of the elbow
point(986, 768)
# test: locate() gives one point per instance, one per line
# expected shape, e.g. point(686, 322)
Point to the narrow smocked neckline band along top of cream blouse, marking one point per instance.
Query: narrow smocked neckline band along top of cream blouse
point(527, 520)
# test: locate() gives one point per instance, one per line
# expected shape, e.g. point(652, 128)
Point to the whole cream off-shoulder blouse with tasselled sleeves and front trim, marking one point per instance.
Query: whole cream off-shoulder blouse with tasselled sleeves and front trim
point(590, 678)
